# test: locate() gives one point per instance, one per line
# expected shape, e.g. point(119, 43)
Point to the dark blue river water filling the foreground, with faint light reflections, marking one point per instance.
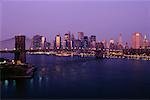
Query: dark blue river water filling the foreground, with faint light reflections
point(75, 77)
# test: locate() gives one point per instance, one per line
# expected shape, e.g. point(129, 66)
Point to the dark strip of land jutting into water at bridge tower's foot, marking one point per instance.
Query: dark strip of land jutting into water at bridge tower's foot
point(11, 70)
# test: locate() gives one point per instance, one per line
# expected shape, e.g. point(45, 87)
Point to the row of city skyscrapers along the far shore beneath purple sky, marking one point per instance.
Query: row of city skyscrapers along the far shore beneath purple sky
point(69, 37)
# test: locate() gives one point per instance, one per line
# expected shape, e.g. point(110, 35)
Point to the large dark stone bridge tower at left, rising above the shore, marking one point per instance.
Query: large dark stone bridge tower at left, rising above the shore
point(20, 53)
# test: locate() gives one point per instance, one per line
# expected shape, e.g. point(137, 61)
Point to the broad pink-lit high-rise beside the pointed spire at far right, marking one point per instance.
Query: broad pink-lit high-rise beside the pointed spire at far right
point(136, 40)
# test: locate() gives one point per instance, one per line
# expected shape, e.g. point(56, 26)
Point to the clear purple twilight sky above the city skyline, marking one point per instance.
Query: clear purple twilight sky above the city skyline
point(105, 19)
